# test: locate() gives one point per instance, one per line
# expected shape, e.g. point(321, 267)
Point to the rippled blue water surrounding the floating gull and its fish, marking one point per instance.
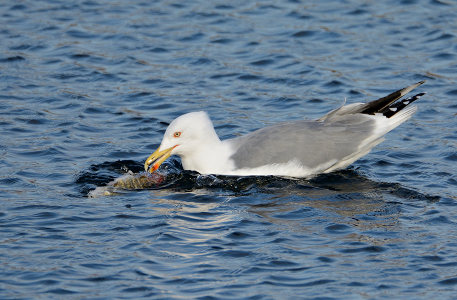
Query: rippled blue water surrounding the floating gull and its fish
point(87, 89)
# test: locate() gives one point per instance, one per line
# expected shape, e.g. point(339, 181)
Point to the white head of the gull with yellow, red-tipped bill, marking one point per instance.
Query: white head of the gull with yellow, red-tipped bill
point(183, 137)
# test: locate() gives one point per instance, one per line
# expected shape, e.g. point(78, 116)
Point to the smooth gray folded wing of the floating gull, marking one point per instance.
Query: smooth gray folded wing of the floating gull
point(310, 142)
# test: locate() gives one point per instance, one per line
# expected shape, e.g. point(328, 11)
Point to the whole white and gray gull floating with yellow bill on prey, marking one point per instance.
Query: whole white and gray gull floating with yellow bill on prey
point(297, 149)
